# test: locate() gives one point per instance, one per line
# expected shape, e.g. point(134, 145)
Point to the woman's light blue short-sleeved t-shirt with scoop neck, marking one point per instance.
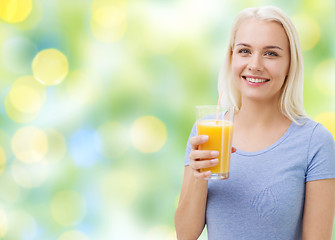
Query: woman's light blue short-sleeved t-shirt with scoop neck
point(263, 198)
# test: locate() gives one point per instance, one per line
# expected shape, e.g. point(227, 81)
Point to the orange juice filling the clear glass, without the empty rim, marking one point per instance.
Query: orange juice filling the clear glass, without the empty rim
point(219, 133)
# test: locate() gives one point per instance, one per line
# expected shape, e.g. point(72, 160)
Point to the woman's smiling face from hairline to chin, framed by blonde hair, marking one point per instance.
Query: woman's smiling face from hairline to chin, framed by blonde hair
point(260, 59)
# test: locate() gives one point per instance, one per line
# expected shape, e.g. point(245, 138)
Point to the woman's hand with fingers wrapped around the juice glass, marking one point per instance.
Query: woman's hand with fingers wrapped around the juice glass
point(200, 159)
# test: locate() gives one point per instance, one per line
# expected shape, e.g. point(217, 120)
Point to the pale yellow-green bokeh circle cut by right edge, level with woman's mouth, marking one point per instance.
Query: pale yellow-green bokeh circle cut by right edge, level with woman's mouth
point(324, 77)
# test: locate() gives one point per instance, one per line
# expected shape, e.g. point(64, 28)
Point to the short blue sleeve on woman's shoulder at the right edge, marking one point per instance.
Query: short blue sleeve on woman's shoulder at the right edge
point(321, 155)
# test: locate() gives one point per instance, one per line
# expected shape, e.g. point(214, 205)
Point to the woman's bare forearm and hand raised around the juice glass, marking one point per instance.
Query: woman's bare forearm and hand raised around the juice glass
point(190, 213)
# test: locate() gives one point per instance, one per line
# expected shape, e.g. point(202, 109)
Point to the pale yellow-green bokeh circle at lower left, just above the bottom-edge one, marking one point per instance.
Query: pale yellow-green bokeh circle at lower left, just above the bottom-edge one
point(68, 208)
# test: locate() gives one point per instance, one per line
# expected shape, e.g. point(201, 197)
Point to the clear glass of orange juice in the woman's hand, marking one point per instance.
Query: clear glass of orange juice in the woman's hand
point(217, 123)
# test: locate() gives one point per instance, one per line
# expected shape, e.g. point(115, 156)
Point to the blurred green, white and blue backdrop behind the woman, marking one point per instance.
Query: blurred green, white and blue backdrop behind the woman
point(165, 63)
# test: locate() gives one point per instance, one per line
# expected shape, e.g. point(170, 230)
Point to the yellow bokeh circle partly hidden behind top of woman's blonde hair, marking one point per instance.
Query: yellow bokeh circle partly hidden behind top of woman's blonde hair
point(308, 31)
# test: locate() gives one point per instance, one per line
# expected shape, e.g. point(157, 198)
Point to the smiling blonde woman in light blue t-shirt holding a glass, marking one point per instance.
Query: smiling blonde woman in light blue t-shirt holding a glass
point(282, 175)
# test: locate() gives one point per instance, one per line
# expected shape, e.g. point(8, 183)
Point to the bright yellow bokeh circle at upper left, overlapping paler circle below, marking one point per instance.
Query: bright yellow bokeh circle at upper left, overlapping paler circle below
point(50, 67)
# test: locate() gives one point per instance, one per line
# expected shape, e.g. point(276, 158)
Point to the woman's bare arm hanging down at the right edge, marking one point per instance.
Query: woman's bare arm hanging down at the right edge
point(319, 210)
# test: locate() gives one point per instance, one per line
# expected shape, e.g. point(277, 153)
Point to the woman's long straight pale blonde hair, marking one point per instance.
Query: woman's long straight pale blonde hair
point(291, 98)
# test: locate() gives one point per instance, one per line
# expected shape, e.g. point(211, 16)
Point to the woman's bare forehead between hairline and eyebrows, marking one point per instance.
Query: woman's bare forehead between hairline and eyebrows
point(255, 32)
